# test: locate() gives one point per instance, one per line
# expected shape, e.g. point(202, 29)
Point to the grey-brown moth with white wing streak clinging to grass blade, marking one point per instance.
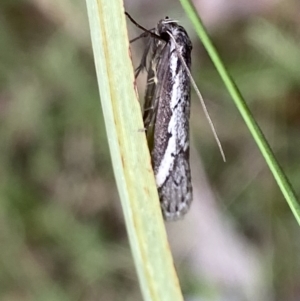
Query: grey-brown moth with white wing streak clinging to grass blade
point(166, 113)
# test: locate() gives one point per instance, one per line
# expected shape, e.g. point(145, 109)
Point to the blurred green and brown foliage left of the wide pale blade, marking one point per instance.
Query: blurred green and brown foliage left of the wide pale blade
point(59, 223)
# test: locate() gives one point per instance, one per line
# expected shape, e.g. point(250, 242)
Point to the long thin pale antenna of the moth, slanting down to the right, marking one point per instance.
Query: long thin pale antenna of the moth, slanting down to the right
point(200, 97)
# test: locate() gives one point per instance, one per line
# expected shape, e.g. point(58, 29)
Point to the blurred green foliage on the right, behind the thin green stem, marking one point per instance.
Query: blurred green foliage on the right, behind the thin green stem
point(263, 58)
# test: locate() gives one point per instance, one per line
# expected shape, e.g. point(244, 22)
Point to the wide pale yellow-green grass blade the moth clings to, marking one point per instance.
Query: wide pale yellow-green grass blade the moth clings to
point(129, 152)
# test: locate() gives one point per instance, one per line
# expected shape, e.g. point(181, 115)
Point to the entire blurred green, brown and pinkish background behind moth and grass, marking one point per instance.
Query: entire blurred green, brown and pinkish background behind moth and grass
point(62, 234)
